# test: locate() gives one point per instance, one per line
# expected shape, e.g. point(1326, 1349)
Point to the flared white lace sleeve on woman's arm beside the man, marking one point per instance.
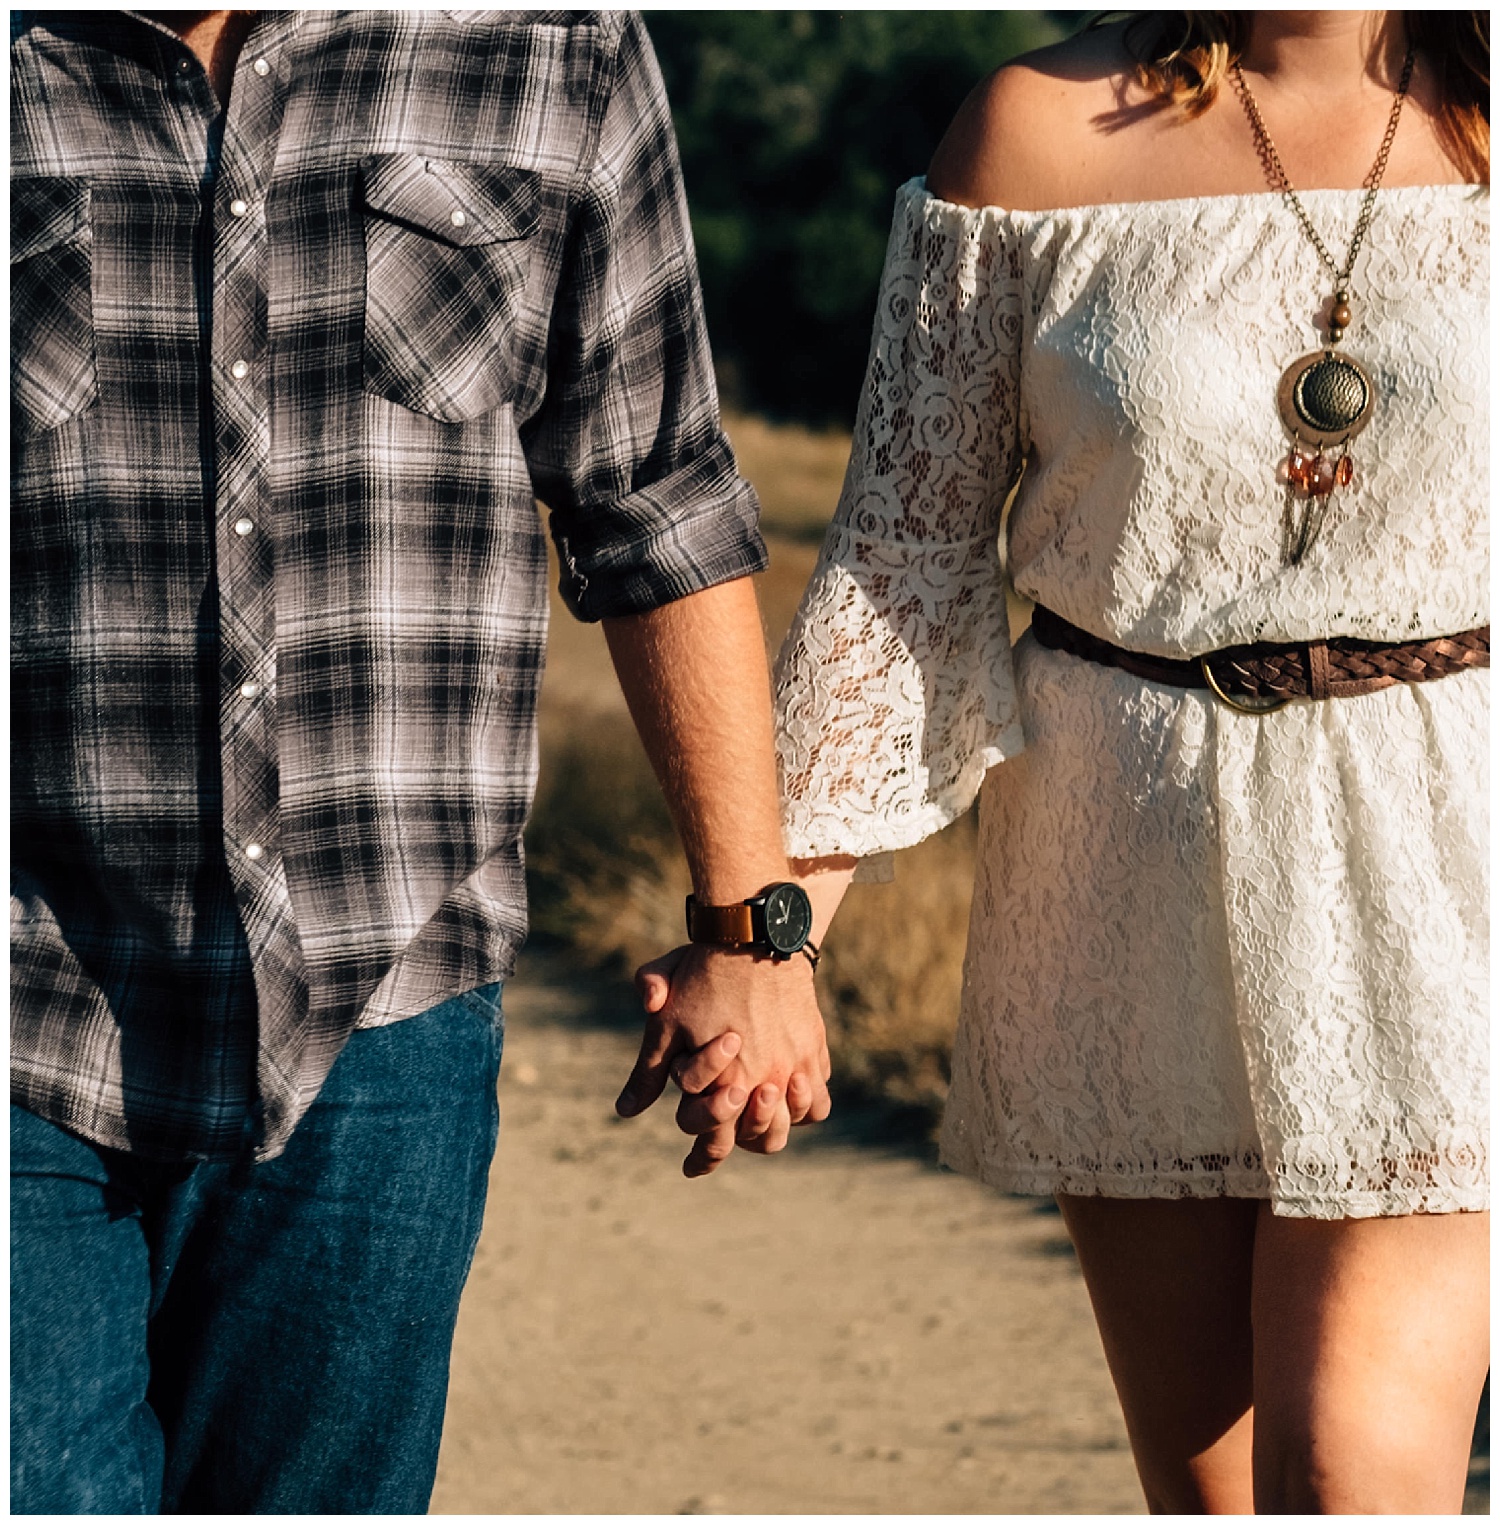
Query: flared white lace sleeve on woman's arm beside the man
point(894, 692)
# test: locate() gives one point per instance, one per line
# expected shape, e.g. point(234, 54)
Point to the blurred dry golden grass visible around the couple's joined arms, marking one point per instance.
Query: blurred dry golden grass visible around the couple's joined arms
point(609, 879)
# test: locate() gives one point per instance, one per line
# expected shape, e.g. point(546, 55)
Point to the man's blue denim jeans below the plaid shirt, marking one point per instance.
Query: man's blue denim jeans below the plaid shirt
point(232, 1338)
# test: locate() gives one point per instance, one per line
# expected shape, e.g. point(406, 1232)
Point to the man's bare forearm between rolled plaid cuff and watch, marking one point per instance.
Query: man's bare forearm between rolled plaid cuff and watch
point(697, 684)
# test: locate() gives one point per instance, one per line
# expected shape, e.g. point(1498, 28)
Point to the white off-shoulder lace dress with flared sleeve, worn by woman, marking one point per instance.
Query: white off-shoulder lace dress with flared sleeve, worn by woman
point(1210, 954)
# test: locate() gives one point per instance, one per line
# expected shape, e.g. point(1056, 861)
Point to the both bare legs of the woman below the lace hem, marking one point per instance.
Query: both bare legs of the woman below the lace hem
point(1367, 1361)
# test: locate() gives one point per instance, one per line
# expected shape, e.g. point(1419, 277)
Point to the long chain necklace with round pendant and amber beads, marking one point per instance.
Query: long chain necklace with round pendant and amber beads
point(1325, 397)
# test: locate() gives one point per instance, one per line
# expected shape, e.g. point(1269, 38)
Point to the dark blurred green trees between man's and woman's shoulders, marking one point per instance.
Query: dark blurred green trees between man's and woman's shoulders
point(796, 129)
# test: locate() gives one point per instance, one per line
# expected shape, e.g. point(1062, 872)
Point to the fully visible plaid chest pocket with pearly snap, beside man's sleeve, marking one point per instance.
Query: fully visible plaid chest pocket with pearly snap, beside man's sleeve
point(447, 255)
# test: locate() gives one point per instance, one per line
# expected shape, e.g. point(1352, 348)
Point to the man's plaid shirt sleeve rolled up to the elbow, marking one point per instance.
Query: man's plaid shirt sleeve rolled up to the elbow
point(627, 452)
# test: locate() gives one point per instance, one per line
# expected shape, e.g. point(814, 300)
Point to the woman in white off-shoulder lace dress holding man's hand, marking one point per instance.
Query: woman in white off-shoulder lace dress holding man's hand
point(1226, 984)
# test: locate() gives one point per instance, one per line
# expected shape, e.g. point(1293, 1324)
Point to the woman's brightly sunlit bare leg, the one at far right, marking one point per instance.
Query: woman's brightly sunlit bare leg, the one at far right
point(1371, 1346)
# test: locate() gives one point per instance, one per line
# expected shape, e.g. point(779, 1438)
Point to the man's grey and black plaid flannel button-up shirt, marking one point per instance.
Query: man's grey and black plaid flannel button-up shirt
point(287, 382)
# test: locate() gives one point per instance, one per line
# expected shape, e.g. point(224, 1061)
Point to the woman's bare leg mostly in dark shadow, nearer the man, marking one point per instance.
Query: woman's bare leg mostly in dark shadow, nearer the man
point(1171, 1289)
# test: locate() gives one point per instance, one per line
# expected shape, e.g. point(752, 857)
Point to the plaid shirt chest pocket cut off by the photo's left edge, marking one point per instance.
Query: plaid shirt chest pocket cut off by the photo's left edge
point(54, 376)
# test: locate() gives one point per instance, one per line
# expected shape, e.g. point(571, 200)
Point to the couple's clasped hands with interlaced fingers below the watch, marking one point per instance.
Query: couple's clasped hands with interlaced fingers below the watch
point(745, 1041)
